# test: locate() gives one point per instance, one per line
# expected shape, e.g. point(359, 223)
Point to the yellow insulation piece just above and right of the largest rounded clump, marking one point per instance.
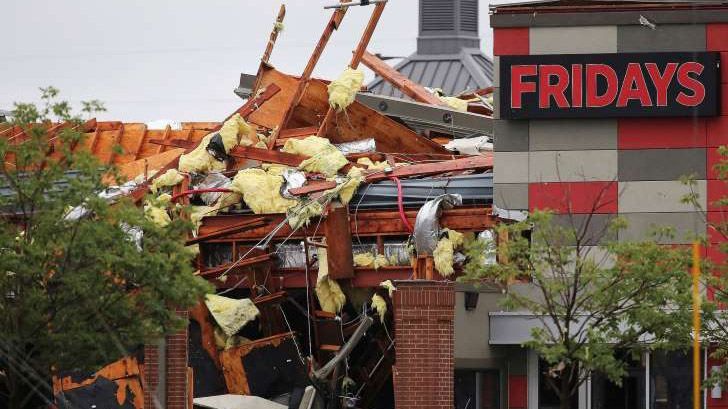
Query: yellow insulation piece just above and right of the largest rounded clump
point(324, 157)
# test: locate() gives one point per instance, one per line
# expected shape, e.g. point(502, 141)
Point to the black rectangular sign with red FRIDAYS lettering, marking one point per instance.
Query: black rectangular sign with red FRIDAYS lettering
point(609, 85)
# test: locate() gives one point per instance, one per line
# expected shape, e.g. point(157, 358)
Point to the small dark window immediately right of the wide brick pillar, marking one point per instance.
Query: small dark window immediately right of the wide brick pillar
point(477, 389)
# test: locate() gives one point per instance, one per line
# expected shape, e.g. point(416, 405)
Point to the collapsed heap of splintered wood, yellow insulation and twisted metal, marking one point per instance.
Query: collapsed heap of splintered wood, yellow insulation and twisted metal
point(306, 204)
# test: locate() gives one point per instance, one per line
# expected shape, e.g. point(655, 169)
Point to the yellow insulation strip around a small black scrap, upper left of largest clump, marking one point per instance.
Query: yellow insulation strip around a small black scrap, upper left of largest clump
point(200, 161)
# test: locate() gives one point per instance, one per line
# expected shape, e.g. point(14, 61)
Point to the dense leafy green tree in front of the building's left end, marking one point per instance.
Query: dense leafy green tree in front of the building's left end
point(76, 292)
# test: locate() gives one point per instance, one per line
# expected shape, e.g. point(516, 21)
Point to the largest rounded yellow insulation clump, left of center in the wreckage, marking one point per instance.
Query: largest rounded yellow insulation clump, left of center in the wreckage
point(261, 191)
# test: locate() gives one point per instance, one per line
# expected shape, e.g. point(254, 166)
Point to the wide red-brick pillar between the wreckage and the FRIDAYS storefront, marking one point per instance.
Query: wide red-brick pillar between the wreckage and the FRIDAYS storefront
point(424, 313)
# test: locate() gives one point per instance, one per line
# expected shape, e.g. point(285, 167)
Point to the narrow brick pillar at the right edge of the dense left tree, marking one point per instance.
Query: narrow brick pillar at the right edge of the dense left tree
point(176, 360)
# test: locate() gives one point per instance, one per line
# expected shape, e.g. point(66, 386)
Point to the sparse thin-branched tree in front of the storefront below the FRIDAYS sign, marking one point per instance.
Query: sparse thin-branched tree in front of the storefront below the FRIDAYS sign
point(596, 305)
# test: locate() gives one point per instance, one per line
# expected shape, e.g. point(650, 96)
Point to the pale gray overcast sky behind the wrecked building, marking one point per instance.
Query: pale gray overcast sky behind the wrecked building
point(178, 59)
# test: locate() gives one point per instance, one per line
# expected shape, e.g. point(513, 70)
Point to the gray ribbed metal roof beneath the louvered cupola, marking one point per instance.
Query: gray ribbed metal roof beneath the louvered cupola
point(453, 73)
